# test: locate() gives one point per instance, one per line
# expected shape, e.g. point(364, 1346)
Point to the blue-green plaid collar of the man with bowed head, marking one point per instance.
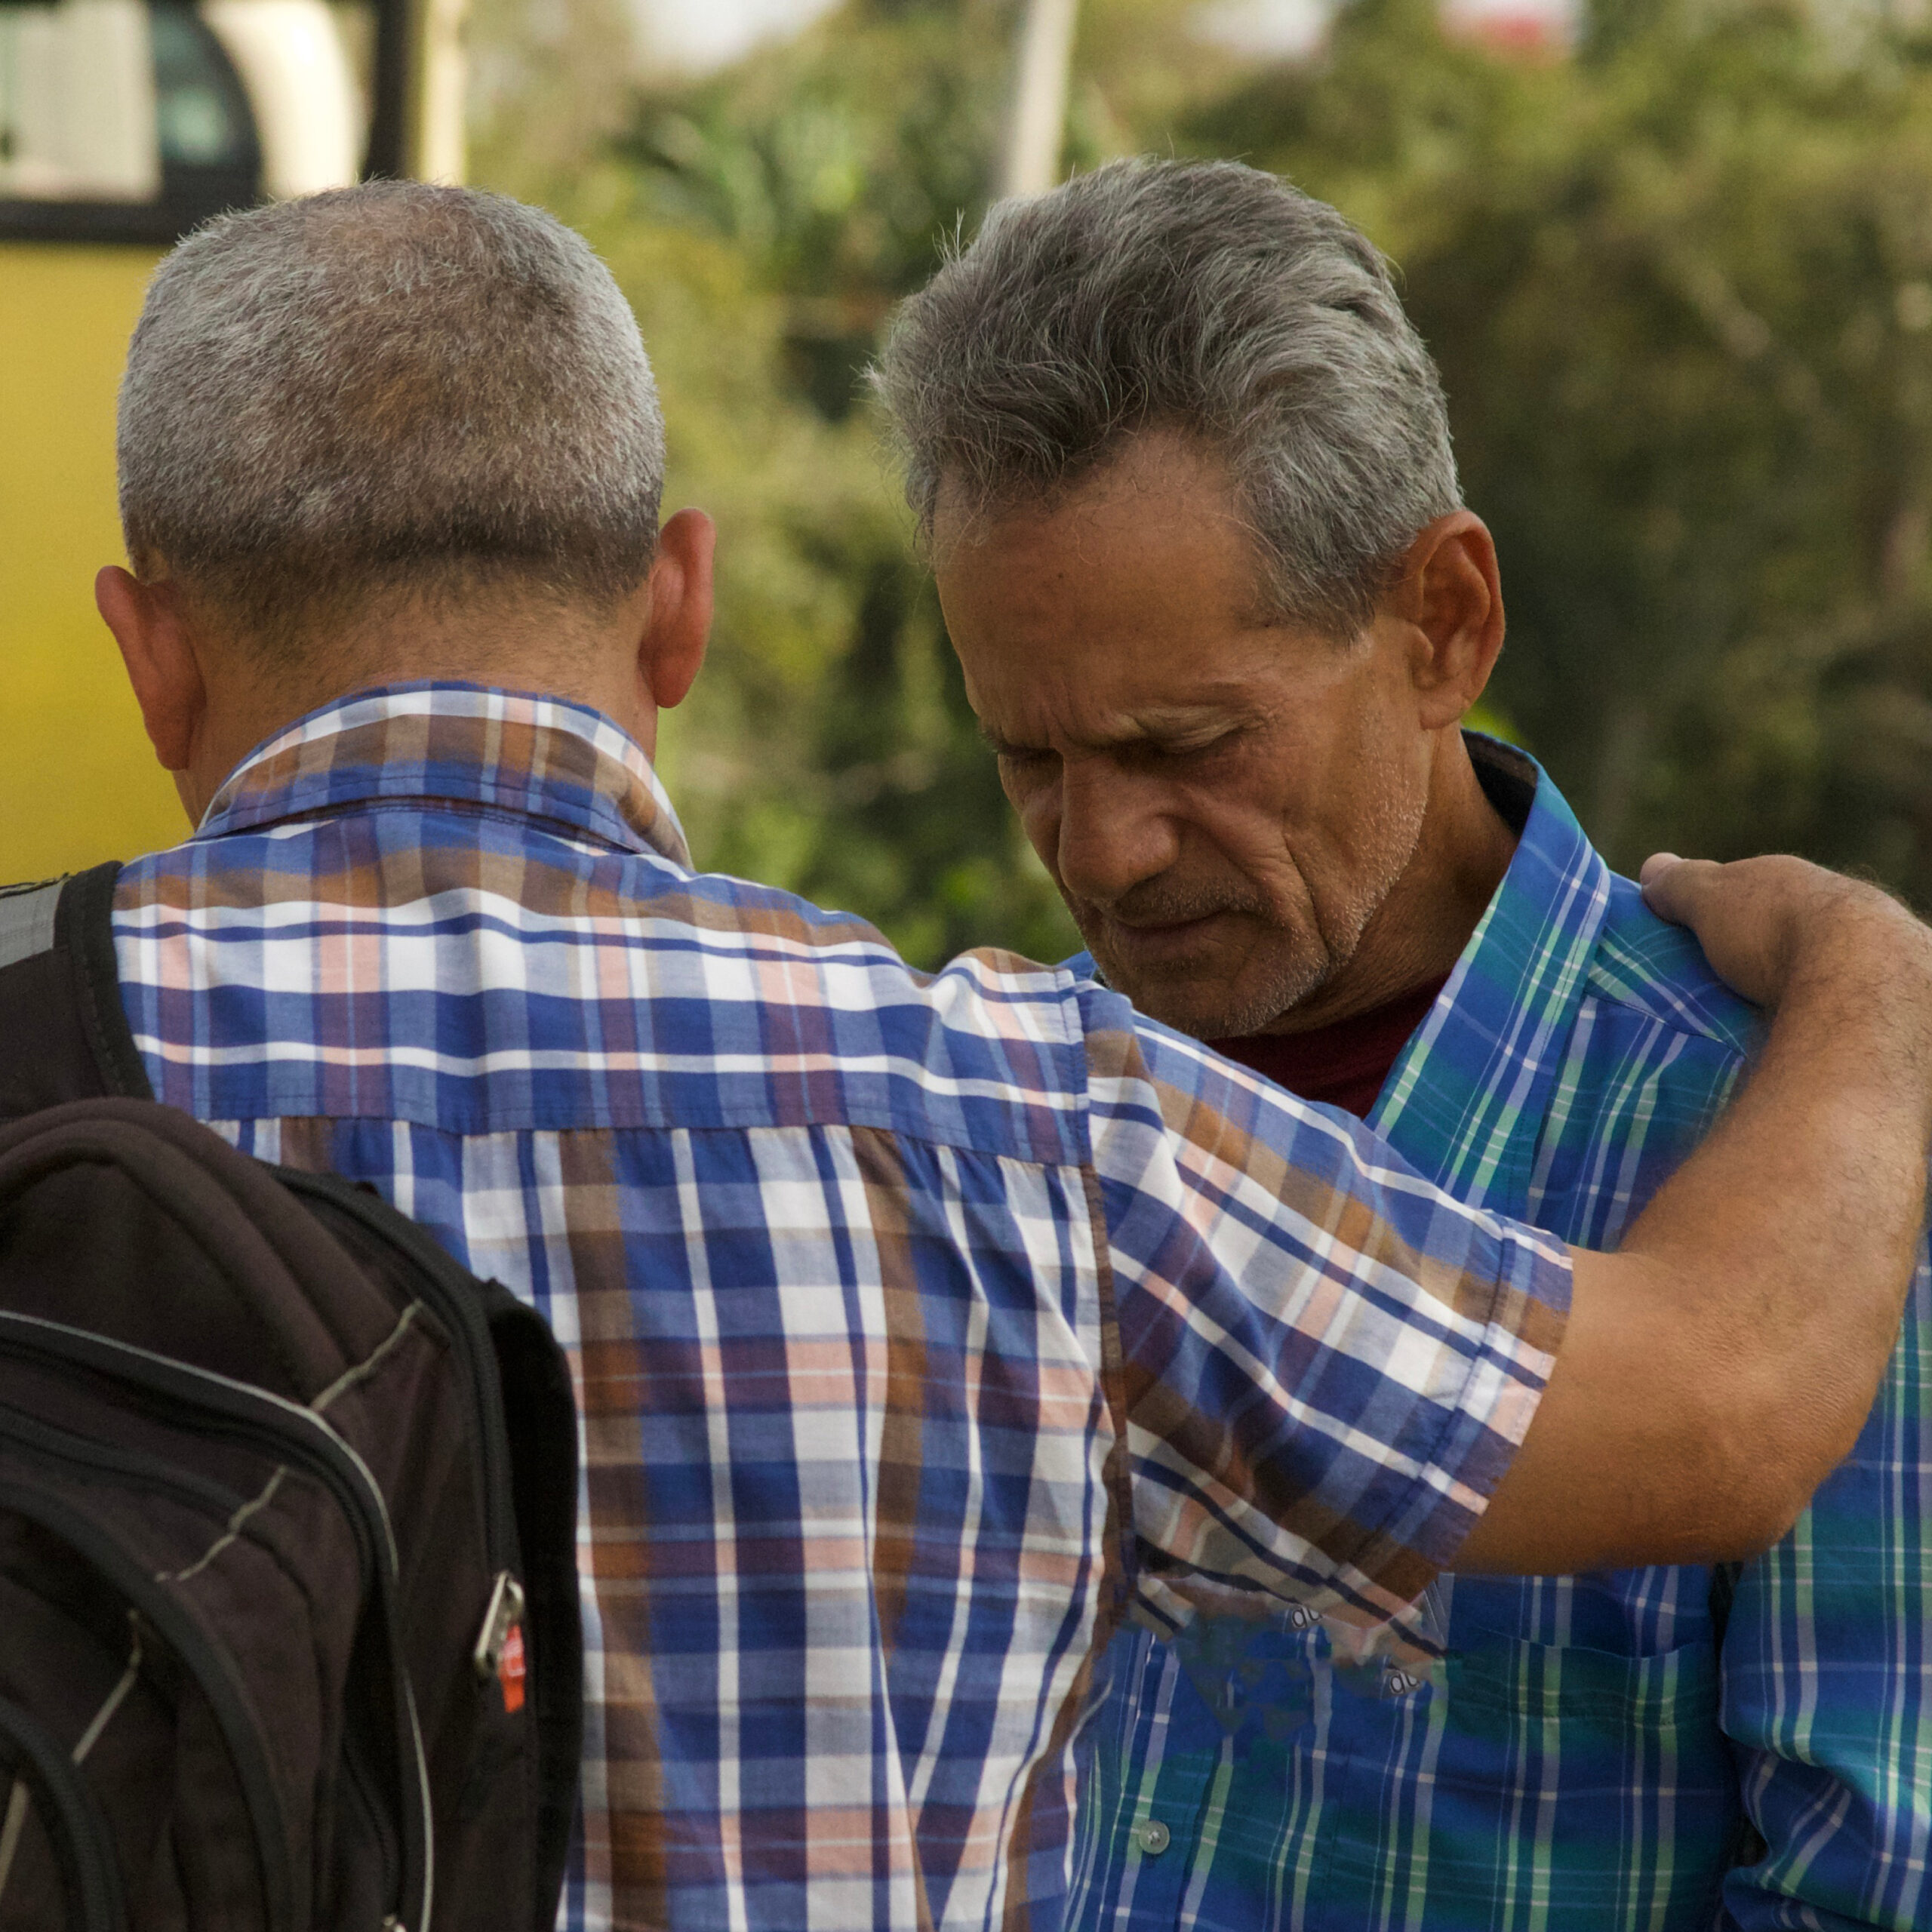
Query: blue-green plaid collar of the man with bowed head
point(1489, 1056)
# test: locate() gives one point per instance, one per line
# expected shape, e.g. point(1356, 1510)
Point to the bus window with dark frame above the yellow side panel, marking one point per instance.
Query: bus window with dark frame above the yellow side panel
point(132, 121)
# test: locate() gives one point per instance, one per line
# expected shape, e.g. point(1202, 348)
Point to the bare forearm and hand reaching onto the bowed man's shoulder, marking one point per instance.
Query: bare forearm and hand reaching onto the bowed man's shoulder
point(1720, 1365)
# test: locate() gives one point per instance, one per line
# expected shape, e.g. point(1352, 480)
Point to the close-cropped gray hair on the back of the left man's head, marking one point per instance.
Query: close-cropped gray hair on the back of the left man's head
point(387, 387)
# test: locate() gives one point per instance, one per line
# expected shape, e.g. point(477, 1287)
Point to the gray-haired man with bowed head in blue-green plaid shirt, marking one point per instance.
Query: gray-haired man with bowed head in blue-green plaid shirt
point(1187, 474)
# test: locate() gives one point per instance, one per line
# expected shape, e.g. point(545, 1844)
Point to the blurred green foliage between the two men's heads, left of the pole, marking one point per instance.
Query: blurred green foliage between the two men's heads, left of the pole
point(764, 223)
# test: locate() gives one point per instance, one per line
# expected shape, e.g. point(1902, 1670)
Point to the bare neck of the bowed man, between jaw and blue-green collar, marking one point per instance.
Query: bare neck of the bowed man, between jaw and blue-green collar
point(1419, 932)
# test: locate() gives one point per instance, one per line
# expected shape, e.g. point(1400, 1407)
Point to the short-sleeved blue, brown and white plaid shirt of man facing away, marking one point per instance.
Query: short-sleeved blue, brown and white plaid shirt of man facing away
point(911, 1317)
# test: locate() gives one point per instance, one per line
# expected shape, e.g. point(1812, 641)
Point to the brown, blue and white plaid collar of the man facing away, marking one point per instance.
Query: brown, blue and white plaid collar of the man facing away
point(438, 743)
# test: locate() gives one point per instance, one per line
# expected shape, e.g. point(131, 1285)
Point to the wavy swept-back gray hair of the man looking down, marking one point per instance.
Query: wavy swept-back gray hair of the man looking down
point(1201, 297)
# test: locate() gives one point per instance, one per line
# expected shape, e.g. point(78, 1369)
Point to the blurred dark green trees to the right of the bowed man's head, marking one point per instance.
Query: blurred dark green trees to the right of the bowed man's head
point(1682, 295)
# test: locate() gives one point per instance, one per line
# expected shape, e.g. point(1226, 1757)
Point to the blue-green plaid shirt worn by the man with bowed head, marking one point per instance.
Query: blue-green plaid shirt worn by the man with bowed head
point(1661, 1749)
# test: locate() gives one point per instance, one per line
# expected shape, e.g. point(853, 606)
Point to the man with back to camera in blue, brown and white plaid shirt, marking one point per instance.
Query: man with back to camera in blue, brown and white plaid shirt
point(911, 1315)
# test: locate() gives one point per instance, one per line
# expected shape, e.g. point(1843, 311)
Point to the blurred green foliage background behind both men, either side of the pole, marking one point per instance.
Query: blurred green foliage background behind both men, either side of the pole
point(1680, 287)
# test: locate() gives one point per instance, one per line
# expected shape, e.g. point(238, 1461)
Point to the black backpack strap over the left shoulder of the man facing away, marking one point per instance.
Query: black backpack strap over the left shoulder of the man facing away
point(63, 1027)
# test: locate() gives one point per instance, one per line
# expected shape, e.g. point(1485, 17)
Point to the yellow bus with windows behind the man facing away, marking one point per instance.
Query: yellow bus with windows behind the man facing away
point(125, 125)
